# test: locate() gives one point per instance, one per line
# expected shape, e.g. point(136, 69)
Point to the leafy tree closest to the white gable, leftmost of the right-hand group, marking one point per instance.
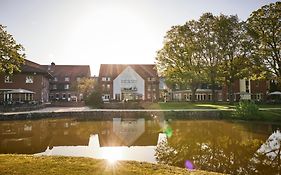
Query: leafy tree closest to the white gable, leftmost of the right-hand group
point(178, 60)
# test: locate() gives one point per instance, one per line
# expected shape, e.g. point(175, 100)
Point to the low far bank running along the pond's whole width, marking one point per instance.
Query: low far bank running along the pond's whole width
point(265, 114)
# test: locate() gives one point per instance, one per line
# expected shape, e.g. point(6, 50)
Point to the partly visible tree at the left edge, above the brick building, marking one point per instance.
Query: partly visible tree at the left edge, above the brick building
point(11, 53)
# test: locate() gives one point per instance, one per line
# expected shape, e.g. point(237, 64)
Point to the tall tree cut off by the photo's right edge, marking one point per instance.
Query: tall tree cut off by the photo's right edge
point(264, 28)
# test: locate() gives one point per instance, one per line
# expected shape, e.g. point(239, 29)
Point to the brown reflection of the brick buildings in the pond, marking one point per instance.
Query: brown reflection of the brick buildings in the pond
point(29, 137)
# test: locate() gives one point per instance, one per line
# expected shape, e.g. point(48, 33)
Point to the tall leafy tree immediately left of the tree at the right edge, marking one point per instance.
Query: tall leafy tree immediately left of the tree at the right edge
point(232, 48)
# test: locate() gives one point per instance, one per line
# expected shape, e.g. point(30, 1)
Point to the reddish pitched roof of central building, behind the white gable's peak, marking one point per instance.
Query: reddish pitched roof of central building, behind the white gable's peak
point(113, 70)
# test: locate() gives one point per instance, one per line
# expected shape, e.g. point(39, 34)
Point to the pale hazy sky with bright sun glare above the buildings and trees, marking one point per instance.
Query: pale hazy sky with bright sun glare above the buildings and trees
point(94, 32)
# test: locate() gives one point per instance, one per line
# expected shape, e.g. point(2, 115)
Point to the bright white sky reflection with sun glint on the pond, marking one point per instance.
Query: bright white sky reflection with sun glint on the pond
point(94, 150)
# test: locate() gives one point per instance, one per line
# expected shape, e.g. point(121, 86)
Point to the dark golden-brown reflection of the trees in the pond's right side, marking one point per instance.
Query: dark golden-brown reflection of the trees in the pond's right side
point(221, 148)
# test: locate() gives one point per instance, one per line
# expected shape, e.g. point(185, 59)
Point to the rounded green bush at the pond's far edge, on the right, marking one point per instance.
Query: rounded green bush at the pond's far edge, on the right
point(246, 109)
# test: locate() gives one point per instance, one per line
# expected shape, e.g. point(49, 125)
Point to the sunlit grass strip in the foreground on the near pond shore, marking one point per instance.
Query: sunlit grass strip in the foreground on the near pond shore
point(43, 165)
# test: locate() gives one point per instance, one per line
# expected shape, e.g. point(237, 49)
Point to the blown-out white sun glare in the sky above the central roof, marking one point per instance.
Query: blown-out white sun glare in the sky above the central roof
point(111, 35)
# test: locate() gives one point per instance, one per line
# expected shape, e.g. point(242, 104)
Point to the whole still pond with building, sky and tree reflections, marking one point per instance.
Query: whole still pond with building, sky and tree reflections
point(233, 147)
